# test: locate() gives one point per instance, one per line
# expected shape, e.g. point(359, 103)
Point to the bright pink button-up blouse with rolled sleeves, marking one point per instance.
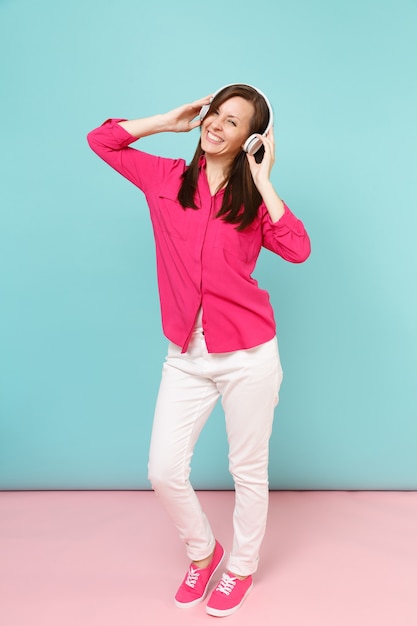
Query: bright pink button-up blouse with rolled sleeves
point(203, 261)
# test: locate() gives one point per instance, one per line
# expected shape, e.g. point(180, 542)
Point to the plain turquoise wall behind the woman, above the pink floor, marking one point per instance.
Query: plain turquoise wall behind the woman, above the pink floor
point(81, 346)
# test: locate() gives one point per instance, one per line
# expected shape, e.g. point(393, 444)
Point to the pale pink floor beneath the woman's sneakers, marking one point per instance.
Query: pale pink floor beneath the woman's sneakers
point(112, 558)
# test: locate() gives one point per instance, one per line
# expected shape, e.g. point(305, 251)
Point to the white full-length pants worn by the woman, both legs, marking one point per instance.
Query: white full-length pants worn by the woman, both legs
point(248, 382)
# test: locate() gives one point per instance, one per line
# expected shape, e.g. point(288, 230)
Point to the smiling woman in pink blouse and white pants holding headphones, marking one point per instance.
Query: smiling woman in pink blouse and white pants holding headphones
point(210, 220)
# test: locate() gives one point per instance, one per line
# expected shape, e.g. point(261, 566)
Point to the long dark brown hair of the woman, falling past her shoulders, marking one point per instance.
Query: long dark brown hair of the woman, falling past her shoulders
point(241, 198)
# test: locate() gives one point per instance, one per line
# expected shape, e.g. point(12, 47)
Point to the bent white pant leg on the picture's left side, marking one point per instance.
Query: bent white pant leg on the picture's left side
point(185, 400)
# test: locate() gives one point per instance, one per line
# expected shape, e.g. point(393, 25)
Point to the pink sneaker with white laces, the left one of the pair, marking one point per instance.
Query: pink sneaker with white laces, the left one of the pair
point(194, 587)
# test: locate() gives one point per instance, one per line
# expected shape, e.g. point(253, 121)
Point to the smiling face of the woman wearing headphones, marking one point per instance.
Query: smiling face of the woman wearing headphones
point(225, 130)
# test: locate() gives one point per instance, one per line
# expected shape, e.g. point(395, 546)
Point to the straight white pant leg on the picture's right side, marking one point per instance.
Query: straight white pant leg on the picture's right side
point(249, 397)
